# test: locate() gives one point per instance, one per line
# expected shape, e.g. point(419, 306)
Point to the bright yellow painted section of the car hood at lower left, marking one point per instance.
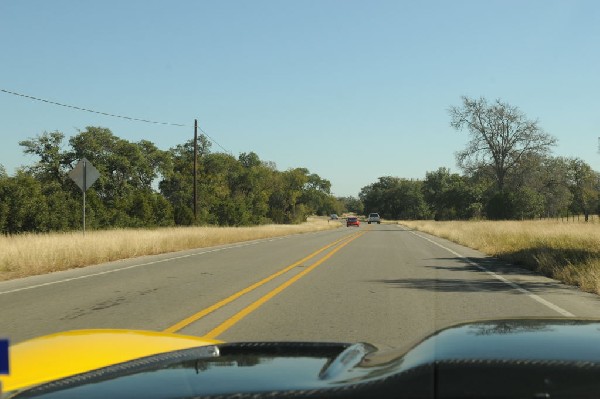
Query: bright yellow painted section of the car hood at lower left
point(60, 355)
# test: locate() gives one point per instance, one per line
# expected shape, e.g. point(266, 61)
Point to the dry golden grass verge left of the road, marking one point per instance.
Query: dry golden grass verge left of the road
point(31, 254)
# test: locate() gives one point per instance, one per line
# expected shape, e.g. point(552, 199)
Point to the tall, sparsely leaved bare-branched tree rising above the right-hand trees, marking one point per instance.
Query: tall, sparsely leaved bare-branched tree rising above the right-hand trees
point(500, 136)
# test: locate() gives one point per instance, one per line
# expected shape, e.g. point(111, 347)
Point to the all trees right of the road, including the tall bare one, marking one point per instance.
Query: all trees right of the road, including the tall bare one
point(508, 173)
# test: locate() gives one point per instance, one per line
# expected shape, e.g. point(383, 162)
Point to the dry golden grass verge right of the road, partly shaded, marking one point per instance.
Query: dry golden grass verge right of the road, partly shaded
point(569, 252)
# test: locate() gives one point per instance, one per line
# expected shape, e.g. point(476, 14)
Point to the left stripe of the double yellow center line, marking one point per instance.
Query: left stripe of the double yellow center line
point(197, 316)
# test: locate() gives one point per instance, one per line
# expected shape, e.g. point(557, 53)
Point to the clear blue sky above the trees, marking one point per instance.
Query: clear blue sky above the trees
point(352, 90)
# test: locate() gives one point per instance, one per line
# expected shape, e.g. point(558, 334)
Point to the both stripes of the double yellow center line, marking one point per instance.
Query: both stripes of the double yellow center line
point(342, 242)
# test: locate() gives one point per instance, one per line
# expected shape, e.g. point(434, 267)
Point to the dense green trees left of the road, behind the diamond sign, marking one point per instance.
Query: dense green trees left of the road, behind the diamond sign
point(143, 186)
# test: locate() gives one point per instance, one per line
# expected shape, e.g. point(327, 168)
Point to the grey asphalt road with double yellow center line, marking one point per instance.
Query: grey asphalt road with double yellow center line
point(382, 284)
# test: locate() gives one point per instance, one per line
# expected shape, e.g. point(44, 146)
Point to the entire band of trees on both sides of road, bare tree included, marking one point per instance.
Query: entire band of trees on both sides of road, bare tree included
point(508, 172)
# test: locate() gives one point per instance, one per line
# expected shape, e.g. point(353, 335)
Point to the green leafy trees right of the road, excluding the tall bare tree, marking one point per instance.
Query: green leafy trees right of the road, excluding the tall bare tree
point(547, 188)
